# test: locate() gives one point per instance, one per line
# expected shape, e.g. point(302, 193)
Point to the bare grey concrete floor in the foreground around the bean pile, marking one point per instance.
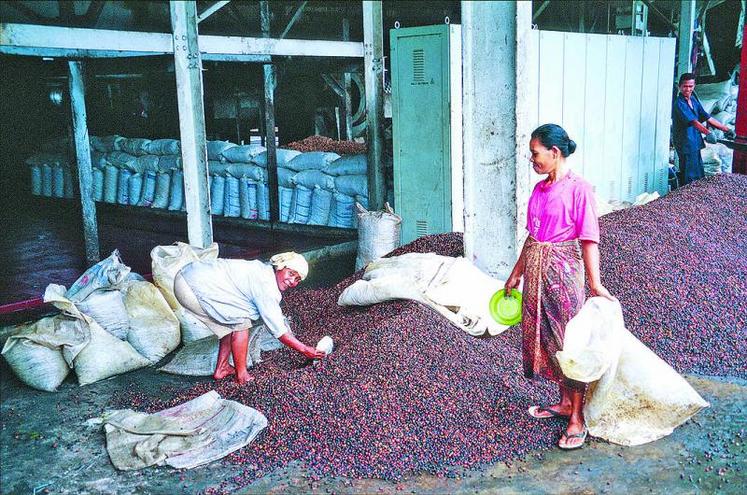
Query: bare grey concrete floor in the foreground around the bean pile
point(47, 445)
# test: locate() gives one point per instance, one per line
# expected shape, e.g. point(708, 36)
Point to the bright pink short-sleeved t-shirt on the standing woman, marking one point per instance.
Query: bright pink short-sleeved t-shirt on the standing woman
point(563, 211)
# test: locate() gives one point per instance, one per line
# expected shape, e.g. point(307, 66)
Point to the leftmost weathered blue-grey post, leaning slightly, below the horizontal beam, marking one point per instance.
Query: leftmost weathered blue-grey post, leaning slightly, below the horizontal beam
point(83, 161)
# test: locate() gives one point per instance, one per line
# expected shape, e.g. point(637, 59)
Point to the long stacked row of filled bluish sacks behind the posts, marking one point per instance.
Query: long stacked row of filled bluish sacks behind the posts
point(314, 188)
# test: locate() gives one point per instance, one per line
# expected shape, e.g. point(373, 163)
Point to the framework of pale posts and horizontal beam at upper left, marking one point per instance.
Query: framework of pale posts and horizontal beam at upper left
point(189, 49)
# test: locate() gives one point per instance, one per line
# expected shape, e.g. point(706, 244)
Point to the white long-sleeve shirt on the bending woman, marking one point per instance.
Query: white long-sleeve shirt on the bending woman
point(230, 291)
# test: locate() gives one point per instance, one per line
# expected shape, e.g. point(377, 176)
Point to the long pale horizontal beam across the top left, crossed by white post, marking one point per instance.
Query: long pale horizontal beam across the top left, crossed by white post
point(57, 41)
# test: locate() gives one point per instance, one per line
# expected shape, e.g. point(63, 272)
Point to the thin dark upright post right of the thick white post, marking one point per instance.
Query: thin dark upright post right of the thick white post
point(270, 81)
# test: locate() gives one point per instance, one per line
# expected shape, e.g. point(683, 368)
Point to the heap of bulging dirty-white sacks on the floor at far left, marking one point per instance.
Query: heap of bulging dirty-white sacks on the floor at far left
point(111, 322)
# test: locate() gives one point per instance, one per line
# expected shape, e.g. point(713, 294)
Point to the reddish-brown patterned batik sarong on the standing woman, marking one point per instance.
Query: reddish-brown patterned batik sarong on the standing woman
point(553, 294)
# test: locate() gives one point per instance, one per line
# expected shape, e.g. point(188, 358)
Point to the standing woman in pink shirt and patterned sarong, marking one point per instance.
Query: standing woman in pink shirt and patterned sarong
point(563, 239)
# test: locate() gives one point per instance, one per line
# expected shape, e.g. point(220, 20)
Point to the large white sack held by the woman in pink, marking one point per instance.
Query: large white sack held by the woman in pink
point(639, 397)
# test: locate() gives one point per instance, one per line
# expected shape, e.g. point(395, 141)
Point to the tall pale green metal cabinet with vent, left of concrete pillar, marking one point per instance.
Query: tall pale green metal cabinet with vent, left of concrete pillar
point(426, 118)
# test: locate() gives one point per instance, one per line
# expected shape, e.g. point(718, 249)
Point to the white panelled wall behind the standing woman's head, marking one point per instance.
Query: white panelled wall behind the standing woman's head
point(613, 96)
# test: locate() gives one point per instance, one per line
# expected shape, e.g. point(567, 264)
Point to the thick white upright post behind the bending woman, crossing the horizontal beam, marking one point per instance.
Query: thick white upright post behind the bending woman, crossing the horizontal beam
point(189, 93)
